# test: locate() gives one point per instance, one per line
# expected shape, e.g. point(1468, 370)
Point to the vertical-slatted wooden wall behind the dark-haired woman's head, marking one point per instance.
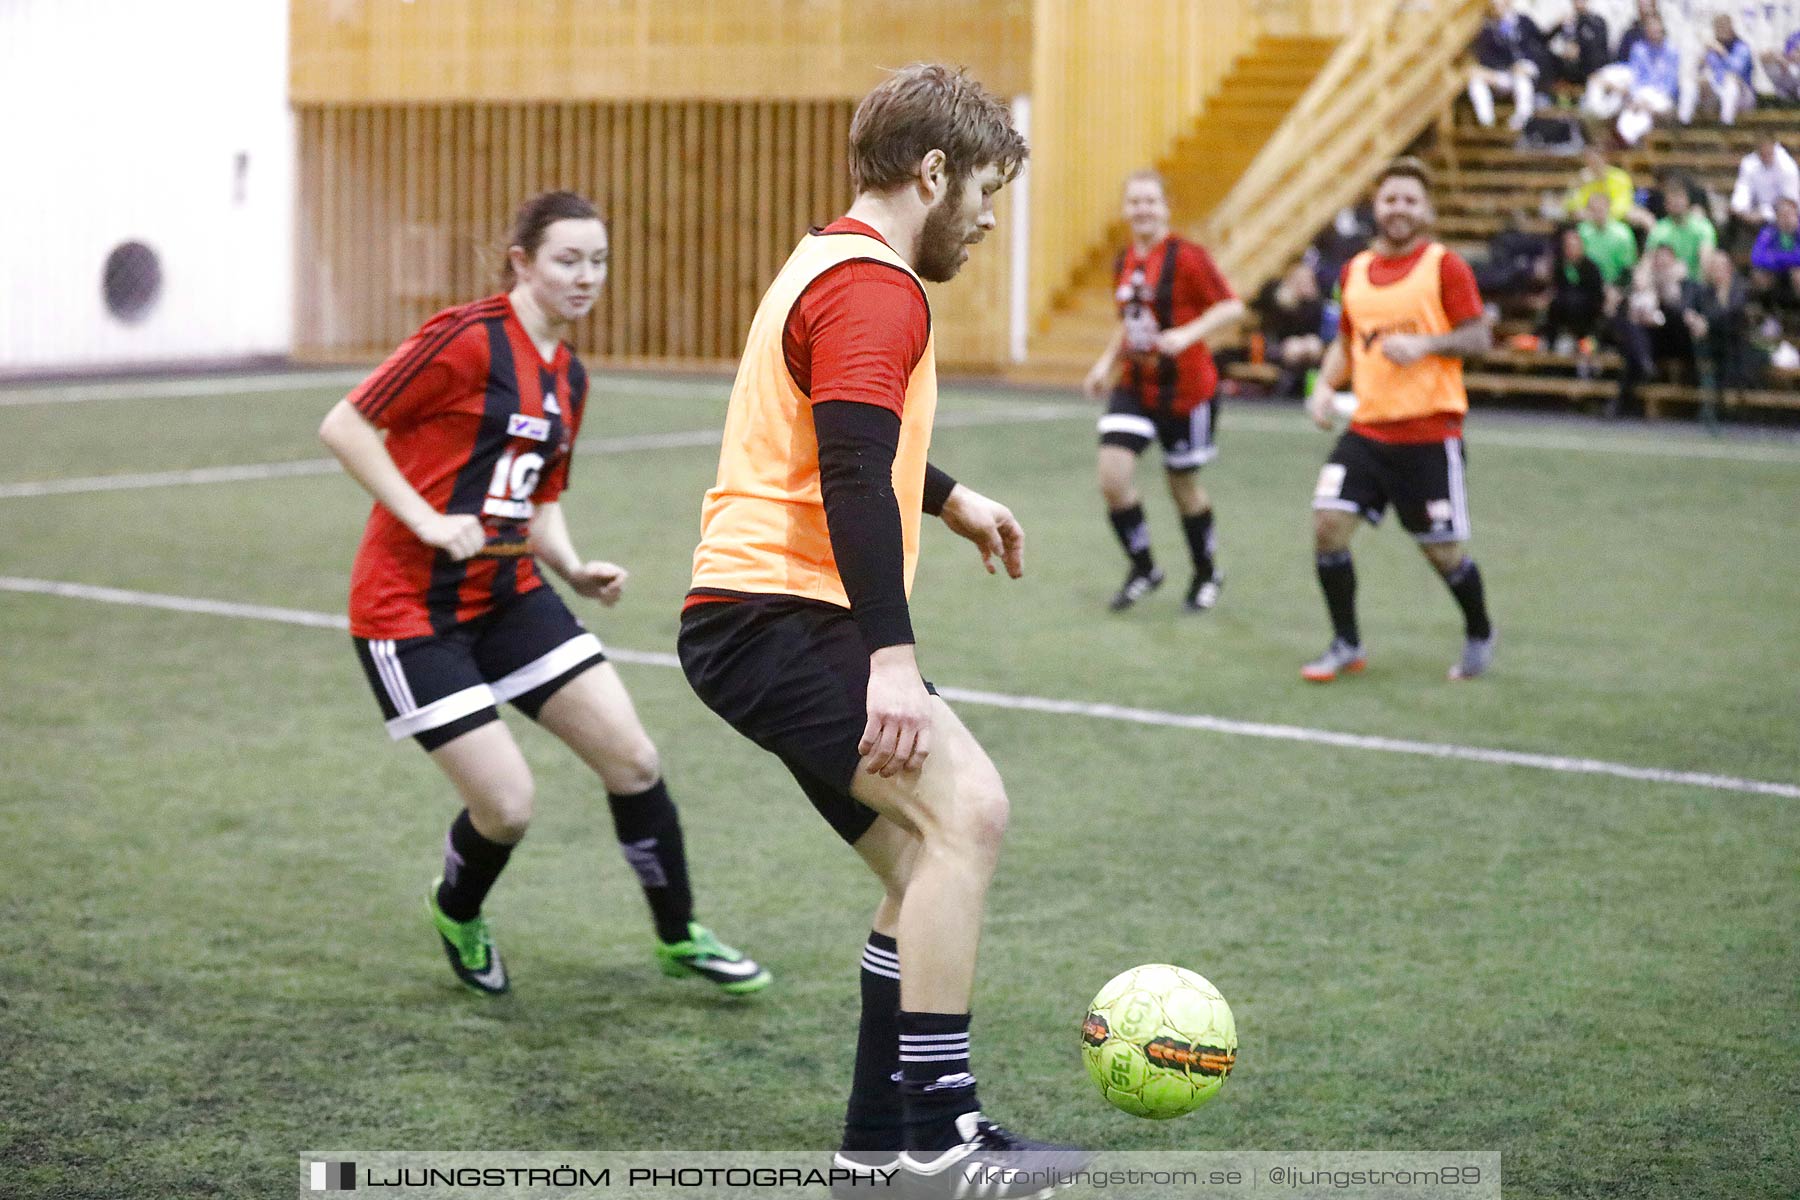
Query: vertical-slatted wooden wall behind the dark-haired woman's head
point(406, 211)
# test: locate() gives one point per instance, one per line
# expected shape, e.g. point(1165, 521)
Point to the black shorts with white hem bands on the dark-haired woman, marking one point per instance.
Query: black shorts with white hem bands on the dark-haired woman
point(438, 688)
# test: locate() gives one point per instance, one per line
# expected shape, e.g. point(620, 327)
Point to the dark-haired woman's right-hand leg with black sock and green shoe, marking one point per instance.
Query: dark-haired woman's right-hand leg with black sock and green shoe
point(595, 717)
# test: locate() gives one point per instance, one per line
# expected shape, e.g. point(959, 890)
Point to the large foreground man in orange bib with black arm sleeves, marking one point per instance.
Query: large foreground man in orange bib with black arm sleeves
point(798, 631)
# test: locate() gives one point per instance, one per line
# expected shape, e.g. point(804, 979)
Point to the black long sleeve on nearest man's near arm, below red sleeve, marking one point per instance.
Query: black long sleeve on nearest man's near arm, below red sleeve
point(858, 447)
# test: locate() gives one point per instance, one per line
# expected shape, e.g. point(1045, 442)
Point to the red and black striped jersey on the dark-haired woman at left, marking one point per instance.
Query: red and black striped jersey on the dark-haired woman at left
point(478, 424)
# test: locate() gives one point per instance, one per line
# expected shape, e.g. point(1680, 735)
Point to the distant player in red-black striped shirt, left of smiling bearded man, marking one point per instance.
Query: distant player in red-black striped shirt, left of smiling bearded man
point(1171, 300)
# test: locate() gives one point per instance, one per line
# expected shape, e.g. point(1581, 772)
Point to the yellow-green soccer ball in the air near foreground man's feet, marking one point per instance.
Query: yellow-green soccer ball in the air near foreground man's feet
point(1160, 1041)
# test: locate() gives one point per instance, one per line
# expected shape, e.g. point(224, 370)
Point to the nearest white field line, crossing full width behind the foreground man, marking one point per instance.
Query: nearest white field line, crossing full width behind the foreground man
point(1025, 704)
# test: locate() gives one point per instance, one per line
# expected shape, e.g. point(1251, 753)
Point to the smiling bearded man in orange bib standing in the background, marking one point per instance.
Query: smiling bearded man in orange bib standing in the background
point(1410, 316)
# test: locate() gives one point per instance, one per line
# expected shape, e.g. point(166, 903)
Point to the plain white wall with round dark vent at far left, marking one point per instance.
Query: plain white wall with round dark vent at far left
point(123, 121)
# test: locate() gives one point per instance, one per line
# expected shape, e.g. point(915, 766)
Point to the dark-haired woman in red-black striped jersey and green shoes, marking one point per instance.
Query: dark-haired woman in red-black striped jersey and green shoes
point(463, 438)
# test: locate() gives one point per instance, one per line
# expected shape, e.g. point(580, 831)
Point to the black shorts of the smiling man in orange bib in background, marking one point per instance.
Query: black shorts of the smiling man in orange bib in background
point(1423, 481)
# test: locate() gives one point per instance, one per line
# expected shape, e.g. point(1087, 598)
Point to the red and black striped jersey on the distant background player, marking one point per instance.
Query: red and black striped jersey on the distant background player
point(1160, 289)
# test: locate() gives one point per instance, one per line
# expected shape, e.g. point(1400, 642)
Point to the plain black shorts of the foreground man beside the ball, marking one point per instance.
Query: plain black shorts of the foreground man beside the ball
point(793, 676)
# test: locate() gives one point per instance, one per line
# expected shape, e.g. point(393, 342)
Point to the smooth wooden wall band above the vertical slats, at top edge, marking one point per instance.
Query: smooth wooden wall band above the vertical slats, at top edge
point(444, 51)
